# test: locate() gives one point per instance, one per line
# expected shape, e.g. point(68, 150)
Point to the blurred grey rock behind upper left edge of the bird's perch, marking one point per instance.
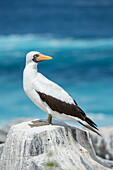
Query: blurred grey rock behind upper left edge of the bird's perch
point(5, 129)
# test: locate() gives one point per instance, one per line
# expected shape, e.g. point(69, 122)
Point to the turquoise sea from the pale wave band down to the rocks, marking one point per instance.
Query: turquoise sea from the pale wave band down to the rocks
point(83, 67)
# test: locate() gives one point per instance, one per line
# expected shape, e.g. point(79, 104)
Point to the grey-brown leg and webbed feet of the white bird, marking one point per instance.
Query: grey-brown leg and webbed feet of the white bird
point(41, 123)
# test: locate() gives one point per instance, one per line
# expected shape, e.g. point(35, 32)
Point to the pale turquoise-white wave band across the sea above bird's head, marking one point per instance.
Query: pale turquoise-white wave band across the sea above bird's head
point(48, 41)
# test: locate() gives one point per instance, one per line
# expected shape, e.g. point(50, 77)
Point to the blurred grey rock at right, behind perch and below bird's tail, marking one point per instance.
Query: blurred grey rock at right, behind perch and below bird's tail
point(104, 146)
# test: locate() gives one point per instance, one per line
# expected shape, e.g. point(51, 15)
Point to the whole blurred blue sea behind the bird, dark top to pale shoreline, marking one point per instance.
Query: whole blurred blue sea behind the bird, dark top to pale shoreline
point(77, 34)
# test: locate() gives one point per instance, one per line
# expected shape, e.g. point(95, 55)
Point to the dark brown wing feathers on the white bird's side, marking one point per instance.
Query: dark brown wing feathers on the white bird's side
point(67, 108)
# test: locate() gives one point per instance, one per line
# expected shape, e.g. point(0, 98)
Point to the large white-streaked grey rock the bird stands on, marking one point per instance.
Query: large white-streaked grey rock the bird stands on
point(50, 147)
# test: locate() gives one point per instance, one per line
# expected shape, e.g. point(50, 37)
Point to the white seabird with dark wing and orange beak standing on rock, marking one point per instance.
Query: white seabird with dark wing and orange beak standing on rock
point(49, 96)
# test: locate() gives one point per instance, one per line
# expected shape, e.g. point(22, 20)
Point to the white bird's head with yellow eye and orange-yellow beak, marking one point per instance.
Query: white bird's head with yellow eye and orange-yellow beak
point(35, 56)
